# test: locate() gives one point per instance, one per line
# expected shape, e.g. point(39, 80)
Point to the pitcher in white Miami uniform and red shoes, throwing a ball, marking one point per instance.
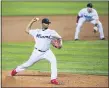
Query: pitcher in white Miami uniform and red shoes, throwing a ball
point(43, 38)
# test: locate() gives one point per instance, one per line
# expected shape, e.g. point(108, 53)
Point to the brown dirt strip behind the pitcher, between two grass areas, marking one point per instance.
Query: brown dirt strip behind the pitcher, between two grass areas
point(13, 28)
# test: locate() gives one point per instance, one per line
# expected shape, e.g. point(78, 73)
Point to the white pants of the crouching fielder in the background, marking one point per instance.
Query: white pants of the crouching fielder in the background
point(80, 23)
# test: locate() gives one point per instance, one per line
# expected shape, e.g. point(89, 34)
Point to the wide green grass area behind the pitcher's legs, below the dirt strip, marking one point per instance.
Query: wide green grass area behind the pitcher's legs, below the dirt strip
point(82, 57)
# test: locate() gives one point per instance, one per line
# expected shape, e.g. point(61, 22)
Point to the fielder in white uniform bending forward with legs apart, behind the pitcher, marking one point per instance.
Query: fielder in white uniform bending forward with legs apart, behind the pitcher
point(89, 15)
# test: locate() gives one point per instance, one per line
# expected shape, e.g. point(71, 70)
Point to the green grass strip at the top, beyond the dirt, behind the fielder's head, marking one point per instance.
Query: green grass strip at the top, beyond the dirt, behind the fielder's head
point(14, 8)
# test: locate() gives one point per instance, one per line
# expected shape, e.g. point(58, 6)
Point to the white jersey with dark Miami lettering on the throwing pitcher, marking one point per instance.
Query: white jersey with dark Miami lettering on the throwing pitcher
point(43, 38)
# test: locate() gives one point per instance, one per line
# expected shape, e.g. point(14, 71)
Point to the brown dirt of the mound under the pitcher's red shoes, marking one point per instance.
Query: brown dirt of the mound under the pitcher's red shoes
point(39, 79)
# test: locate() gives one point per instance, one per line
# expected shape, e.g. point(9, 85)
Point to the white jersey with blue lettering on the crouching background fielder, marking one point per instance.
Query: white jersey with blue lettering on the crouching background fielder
point(88, 16)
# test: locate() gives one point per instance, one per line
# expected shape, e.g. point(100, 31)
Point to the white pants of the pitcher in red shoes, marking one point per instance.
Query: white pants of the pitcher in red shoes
point(36, 56)
